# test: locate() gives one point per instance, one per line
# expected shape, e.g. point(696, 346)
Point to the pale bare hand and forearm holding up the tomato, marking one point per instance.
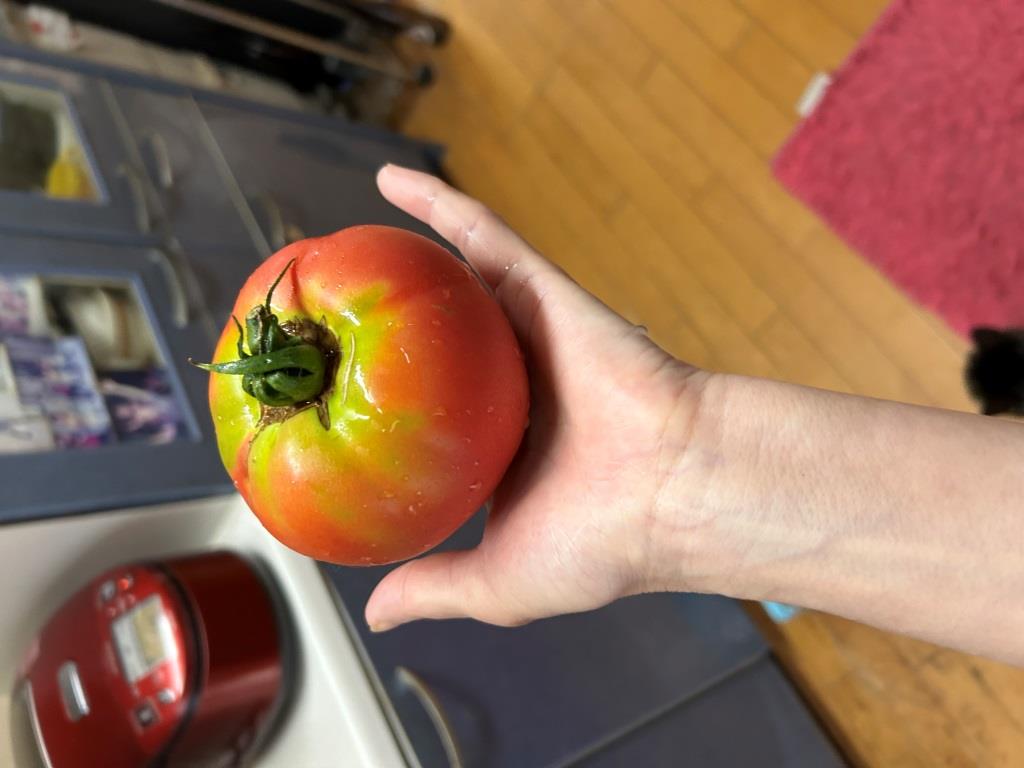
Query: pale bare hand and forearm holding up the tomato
point(642, 474)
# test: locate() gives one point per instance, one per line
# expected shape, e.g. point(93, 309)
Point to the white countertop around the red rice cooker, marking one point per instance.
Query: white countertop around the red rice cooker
point(335, 719)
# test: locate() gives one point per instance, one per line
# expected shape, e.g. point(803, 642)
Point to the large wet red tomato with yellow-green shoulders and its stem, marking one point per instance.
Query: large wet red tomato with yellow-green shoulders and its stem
point(377, 401)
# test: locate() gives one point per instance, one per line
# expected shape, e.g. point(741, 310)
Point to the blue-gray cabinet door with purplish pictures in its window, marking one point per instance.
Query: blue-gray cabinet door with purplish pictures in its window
point(116, 440)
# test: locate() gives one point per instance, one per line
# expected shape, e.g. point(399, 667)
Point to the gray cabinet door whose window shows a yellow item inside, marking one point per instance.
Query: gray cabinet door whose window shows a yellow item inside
point(64, 168)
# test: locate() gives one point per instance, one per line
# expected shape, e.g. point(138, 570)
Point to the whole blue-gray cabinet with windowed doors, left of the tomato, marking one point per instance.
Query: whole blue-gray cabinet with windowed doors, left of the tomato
point(119, 196)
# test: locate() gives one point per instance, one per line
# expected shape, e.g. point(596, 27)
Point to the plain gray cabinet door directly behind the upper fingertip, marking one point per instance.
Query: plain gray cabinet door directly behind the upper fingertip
point(308, 179)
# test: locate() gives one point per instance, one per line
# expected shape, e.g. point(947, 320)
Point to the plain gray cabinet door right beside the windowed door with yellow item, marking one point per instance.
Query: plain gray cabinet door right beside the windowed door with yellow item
point(200, 205)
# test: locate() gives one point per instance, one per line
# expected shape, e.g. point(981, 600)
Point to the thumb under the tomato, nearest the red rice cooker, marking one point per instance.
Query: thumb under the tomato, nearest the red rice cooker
point(449, 585)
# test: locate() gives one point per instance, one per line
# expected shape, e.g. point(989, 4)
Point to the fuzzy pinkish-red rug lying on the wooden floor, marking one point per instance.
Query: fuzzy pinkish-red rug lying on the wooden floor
point(916, 156)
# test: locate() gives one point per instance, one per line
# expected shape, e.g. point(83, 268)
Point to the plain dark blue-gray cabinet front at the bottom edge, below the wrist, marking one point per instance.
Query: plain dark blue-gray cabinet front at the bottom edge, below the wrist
point(752, 719)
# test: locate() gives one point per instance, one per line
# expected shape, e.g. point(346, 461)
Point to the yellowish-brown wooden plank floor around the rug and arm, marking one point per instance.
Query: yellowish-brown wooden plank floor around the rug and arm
point(629, 141)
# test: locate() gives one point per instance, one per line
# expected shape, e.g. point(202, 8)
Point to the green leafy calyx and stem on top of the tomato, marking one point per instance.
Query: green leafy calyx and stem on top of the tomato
point(287, 366)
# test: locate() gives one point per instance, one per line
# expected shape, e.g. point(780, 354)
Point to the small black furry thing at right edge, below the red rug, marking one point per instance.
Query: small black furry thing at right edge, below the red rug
point(996, 371)
